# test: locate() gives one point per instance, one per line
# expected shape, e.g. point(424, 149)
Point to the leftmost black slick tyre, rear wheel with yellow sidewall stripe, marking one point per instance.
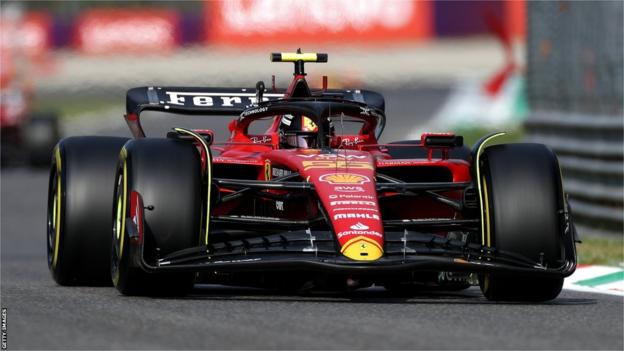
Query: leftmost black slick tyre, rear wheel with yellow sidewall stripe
point(79, 211)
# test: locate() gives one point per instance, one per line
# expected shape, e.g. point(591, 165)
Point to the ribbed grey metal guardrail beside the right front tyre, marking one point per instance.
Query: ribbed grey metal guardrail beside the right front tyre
point(591, 152)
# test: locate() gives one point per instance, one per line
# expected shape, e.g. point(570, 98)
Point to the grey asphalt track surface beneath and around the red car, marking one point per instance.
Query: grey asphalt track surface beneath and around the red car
point(43, 315)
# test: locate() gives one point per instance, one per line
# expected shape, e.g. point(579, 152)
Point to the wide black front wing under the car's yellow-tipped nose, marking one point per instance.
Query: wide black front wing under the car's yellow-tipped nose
point(308, 251)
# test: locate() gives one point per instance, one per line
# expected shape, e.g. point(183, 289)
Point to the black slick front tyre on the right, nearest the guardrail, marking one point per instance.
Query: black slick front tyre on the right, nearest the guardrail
point(523, 202)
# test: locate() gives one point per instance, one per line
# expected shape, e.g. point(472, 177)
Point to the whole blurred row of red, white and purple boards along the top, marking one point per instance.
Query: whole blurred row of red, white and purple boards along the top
point(163, 26)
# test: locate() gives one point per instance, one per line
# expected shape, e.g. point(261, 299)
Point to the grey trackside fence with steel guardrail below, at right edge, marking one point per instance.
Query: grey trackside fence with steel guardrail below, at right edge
point(575, 90)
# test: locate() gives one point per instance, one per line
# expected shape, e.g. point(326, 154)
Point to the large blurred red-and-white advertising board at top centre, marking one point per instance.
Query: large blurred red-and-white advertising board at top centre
point(266, 22)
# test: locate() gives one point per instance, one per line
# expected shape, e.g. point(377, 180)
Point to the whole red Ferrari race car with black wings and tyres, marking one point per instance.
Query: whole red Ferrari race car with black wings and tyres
point(303, 197)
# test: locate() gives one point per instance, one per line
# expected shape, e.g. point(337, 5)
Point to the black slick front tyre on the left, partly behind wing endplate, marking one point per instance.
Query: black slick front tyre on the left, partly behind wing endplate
point(167, 175)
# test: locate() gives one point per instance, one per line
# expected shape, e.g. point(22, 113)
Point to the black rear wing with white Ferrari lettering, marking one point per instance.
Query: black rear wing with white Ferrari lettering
point(218, 101)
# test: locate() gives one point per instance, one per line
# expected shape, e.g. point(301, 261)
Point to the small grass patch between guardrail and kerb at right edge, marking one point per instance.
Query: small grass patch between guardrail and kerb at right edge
point(601, 251)
